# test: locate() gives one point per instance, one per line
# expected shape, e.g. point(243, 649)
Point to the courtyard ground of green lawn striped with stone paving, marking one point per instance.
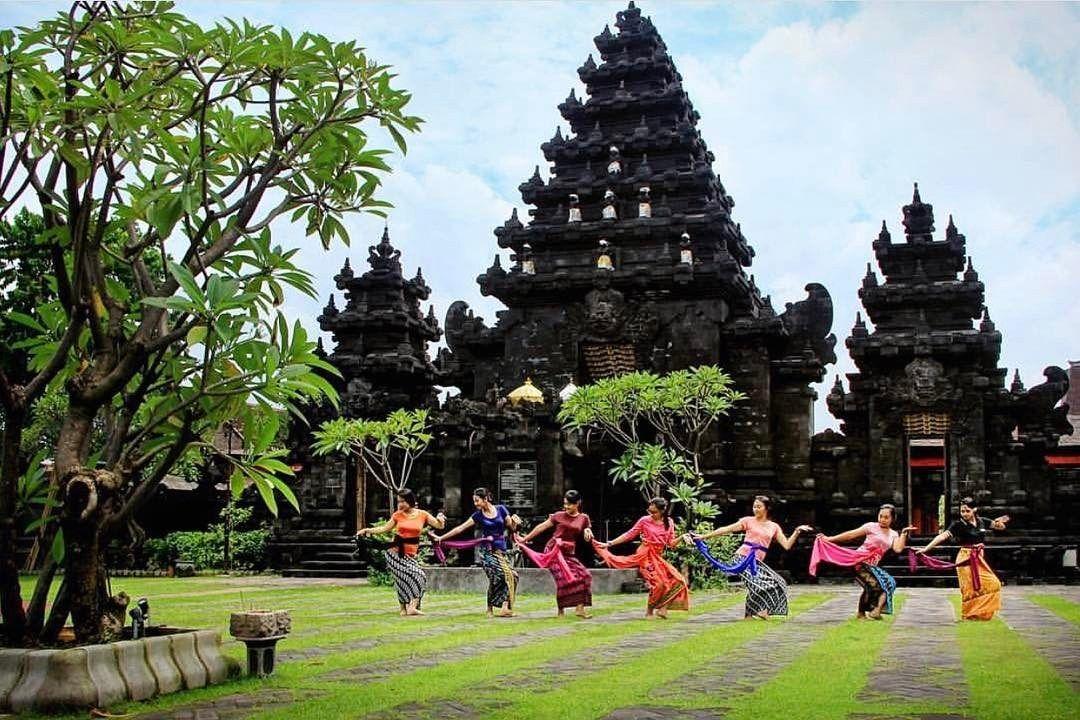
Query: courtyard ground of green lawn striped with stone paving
point(352, 657)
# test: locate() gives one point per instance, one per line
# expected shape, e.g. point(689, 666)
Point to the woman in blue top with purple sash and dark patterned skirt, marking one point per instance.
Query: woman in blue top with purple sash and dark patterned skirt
point(493, 522)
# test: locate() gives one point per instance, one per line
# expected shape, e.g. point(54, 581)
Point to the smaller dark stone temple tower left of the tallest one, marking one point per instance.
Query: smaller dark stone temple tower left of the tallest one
point(382, 338)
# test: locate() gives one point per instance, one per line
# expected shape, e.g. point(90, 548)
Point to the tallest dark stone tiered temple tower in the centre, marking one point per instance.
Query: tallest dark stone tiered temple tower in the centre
point(632, 261)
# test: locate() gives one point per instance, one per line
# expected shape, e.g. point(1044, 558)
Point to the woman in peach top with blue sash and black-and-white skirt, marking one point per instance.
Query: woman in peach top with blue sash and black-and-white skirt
point(766, 591)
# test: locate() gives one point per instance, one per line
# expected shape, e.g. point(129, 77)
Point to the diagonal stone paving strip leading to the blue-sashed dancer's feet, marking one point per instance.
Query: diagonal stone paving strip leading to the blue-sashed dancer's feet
point(488, 697)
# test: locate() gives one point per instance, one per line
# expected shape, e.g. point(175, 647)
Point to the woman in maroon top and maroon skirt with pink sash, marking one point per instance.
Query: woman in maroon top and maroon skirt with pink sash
point(574, 586)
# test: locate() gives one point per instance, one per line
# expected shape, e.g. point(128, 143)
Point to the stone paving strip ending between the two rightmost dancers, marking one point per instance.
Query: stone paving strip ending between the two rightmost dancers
point(921, 661)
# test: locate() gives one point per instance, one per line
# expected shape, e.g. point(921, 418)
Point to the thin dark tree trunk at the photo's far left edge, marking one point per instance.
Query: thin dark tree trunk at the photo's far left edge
point(11, 594)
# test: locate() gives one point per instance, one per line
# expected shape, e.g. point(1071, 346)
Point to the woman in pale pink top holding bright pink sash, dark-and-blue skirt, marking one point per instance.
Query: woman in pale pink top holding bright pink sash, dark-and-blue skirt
point(879, 539)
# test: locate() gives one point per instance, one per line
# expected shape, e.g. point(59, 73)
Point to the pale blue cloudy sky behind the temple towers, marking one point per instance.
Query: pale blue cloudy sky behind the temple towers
point(821, 117)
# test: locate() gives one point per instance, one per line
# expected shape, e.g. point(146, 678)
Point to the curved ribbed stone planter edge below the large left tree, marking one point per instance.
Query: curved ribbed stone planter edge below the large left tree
point(99, 676)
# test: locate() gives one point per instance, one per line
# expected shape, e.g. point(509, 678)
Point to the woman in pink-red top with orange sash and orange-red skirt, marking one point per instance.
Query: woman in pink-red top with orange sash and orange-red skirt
point(668, 589)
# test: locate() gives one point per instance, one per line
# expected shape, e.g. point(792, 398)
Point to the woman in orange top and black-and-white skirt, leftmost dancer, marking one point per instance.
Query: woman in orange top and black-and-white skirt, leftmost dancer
point(402, 562)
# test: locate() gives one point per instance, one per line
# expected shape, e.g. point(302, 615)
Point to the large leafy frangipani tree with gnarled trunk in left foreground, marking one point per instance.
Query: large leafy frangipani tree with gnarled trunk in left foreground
point(159, 155)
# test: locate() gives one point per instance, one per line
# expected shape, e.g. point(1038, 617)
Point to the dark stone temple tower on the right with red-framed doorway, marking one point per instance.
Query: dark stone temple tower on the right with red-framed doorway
point(927, 418)
